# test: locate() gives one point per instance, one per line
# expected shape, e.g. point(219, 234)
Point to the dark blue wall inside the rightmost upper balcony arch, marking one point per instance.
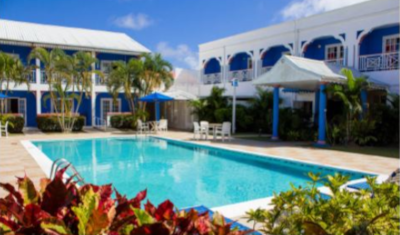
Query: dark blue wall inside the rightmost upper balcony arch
point(373, 42)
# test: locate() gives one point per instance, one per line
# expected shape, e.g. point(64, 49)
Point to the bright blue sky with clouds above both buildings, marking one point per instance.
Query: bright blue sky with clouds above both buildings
point(173, 27)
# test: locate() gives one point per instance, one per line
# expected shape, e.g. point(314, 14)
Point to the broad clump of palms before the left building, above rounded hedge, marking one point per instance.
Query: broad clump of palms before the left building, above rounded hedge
point(69, 79)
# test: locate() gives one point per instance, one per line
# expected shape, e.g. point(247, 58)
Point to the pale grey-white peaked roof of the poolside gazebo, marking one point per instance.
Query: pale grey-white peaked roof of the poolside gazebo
point(299, 73)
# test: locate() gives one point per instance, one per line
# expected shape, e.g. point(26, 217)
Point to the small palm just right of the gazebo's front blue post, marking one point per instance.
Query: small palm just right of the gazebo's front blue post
point(349, 93)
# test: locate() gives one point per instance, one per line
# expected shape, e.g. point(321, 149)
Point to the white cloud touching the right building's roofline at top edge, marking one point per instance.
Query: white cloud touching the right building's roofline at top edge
point(302, 8)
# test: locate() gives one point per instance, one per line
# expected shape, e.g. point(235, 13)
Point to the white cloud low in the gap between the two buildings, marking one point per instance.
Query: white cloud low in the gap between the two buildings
point(181, 53)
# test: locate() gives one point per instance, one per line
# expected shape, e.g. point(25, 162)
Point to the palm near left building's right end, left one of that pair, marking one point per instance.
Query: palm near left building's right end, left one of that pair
point(125, 77)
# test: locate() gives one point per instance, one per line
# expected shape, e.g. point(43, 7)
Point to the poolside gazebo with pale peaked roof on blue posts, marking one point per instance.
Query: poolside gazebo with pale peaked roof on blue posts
point(297, 74)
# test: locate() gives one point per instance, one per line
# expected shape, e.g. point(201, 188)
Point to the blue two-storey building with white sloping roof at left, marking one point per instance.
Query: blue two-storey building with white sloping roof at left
point(19, 38)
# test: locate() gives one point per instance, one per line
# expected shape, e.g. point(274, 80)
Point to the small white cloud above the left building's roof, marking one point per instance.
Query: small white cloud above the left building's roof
point(133, 21)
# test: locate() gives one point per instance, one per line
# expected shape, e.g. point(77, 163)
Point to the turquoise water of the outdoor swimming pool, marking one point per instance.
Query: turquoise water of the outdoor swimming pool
point(187, 174)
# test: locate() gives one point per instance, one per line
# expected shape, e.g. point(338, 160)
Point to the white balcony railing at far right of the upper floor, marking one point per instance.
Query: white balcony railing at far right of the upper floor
point(379, 62)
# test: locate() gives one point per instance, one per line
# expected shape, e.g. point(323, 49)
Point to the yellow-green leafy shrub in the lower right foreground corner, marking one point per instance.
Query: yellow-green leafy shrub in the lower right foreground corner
point(303, 210)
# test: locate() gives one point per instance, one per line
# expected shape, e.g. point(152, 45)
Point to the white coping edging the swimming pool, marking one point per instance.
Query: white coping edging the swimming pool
point(232, 210)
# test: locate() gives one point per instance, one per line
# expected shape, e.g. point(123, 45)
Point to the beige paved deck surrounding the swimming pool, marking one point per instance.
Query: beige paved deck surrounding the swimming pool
point(16, 161)
